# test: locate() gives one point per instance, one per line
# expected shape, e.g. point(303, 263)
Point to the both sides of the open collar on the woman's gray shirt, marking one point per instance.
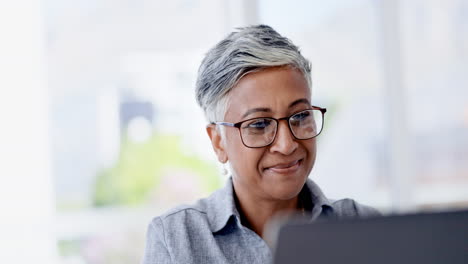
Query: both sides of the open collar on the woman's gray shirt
point(221, 205)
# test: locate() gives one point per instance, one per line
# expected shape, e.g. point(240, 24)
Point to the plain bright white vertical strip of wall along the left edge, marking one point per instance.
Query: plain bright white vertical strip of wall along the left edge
point(26, 204)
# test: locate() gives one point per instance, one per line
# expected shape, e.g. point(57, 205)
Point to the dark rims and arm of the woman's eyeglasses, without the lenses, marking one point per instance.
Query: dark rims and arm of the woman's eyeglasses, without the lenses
point(239, 124)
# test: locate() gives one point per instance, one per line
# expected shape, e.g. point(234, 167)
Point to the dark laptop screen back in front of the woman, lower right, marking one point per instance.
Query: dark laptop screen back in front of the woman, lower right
point(429, 238)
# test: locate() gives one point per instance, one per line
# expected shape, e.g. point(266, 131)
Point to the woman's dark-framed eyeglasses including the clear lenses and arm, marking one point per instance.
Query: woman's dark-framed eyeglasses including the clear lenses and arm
point(261, 131)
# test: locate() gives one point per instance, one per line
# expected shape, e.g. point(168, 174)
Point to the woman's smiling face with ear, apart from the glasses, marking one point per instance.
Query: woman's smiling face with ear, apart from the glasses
point(278, 171)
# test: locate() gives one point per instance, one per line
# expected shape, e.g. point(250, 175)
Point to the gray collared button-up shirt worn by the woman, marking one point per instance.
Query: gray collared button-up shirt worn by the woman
point(210, 231)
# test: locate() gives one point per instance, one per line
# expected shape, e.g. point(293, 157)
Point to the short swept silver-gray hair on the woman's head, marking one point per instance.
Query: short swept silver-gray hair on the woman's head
point(246, 50)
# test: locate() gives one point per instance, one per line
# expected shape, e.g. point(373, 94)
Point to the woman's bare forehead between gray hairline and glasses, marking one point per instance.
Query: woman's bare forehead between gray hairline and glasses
point(273, 88)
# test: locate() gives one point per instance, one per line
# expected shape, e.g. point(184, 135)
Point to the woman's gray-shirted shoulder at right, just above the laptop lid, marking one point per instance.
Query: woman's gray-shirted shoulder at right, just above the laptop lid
point(350, 208)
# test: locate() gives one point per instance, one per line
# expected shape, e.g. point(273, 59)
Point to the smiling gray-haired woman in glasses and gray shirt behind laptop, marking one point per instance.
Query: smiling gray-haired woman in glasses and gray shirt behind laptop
point(255, 89)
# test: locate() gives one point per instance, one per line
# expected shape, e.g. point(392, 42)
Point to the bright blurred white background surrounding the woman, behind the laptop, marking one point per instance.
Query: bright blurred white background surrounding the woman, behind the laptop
point(99, 129)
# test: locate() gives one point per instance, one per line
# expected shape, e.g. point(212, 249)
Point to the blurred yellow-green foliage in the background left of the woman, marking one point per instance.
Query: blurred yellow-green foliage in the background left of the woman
point(139, 170)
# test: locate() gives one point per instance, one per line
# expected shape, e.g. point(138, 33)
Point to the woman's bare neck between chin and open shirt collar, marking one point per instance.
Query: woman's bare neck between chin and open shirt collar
point(256, 212)
